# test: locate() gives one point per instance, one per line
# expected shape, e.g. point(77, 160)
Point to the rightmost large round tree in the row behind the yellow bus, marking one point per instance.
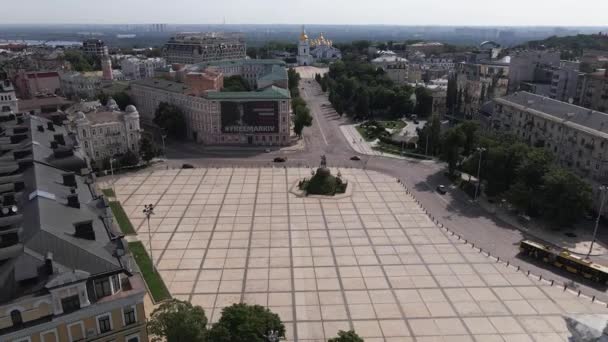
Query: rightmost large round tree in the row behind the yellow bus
point(565, 197)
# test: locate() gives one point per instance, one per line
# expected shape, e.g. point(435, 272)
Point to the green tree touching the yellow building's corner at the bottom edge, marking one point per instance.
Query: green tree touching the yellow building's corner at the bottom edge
point(178, 321)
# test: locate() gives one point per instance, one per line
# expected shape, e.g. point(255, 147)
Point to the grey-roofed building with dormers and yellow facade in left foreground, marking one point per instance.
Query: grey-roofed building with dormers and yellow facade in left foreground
point(64, 267)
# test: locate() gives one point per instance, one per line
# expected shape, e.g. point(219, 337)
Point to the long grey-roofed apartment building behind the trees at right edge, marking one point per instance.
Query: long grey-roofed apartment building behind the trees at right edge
point(577, 136)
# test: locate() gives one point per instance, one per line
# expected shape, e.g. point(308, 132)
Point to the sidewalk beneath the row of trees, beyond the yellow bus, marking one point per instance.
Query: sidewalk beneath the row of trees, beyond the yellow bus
point(577, 244)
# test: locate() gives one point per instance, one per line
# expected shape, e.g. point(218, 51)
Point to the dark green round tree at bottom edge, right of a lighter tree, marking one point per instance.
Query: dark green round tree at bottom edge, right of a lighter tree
point(246, 323)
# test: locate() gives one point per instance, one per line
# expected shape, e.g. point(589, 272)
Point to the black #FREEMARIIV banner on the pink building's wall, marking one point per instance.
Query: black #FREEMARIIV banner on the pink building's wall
point(250, 117)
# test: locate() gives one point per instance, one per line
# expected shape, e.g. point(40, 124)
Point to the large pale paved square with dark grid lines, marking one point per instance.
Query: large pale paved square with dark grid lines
point(373, 261)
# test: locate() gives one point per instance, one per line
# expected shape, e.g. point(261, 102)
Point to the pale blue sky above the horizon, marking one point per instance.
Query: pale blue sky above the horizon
point(400, 12)
